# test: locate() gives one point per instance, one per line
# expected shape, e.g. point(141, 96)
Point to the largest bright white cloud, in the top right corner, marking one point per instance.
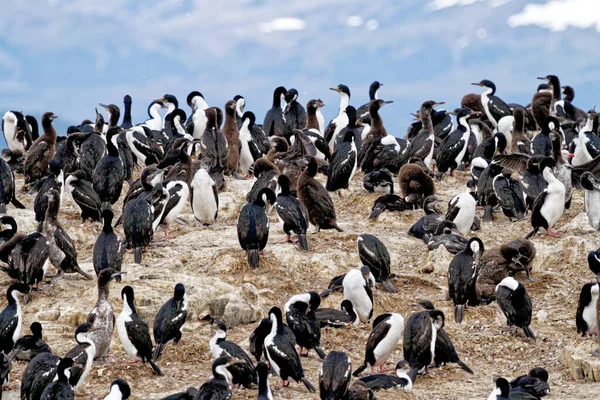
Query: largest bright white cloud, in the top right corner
point(558, 15)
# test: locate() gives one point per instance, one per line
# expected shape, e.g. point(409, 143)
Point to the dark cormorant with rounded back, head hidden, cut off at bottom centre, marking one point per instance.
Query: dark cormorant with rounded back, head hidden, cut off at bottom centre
point(334, 376)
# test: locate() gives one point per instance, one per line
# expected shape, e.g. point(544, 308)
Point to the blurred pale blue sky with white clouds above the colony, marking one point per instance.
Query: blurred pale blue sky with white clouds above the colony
point(67, 56)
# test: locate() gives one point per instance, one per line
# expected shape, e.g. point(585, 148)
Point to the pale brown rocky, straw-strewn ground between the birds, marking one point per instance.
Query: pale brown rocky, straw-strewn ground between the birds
point(209, 261)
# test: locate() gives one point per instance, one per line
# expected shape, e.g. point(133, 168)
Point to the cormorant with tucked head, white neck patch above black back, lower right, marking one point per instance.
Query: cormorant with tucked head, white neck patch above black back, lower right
point(515, 303)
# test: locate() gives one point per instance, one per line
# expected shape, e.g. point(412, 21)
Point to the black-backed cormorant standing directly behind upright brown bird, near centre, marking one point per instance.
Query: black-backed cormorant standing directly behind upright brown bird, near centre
point(342, 166)
